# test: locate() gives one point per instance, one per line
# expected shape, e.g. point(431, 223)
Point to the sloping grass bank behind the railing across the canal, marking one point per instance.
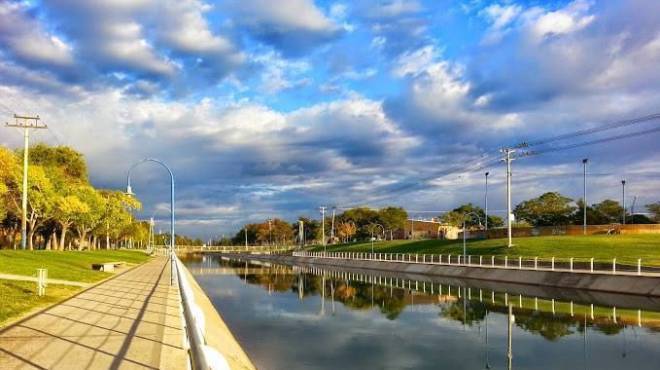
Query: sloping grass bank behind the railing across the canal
point(625, 248)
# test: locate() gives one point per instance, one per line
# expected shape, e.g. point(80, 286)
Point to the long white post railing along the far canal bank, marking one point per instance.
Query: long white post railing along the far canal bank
point(577, 265)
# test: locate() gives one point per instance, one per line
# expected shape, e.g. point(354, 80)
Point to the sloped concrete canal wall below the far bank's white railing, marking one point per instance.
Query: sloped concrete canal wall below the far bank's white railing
point(601, 282)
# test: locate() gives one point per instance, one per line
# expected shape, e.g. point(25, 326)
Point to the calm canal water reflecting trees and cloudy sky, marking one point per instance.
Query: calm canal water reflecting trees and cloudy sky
point(303, 317)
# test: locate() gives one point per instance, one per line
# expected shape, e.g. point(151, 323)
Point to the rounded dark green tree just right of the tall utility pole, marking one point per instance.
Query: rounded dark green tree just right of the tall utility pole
point(547, 210)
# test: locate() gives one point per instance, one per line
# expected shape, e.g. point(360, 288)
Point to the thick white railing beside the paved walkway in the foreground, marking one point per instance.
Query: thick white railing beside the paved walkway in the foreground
point(202, 356)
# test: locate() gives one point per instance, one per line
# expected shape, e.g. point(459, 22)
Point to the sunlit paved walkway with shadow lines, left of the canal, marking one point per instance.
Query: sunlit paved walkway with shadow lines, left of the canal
point(130, 322)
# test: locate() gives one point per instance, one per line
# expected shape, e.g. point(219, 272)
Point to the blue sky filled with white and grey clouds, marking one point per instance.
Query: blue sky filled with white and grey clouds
point(271, 109)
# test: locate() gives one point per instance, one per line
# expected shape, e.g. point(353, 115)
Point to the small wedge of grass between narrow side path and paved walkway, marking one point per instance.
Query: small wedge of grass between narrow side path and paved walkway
point(19, 297)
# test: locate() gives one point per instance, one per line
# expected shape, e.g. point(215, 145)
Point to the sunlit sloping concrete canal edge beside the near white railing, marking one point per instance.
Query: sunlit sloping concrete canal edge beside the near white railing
point(217, 334)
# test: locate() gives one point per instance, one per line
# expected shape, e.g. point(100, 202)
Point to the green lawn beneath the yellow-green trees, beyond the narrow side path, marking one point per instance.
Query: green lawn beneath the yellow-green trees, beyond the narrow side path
point(69, 265)
